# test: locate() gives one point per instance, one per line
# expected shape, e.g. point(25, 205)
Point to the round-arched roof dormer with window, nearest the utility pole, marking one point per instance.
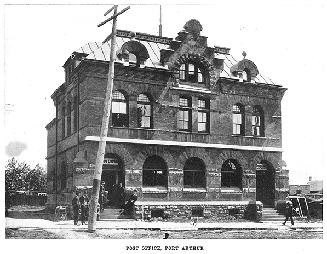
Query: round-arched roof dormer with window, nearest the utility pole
point(133, 52)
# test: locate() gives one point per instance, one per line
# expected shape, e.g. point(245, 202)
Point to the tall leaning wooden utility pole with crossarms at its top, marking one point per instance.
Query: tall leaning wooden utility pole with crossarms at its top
point(105, 121)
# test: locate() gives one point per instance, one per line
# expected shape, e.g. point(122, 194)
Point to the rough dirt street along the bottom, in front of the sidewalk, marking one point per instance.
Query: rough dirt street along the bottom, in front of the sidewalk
point(81, 233)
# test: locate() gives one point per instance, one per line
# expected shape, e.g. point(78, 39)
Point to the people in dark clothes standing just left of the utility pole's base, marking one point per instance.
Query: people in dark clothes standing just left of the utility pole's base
point(80, 204)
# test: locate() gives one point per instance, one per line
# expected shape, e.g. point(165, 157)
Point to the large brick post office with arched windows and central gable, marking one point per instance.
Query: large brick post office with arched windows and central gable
point(192, 129)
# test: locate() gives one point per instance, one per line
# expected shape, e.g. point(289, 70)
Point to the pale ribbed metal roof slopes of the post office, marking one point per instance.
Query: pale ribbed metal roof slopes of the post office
point(154, 44)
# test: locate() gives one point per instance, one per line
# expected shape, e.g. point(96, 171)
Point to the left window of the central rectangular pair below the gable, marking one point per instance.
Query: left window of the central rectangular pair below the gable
point(185, 114)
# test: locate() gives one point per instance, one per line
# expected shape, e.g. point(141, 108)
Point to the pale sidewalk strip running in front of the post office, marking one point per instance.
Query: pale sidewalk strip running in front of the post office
point(163, 226)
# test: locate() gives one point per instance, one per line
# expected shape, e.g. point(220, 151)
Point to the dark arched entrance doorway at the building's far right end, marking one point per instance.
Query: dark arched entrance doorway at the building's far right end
point(265, 184)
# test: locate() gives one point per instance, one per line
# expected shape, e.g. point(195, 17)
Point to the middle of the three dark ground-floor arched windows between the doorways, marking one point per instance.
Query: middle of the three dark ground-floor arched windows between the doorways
point(194, 173)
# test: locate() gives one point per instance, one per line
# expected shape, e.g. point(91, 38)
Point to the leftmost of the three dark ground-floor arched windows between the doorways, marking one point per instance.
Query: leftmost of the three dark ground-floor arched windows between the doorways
point(155, 172)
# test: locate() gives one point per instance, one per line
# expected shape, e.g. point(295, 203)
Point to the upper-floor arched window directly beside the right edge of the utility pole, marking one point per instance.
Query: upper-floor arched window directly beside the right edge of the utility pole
point(119, 110)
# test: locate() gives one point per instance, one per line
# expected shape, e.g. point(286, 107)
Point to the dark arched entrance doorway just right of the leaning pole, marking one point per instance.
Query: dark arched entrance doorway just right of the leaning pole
point(113, 178)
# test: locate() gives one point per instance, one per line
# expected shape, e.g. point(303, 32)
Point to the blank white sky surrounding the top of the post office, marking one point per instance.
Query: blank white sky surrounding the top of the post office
point(285, 39)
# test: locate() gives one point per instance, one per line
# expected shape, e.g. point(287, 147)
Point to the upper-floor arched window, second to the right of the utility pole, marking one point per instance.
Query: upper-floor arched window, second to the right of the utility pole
point(144, 111)
